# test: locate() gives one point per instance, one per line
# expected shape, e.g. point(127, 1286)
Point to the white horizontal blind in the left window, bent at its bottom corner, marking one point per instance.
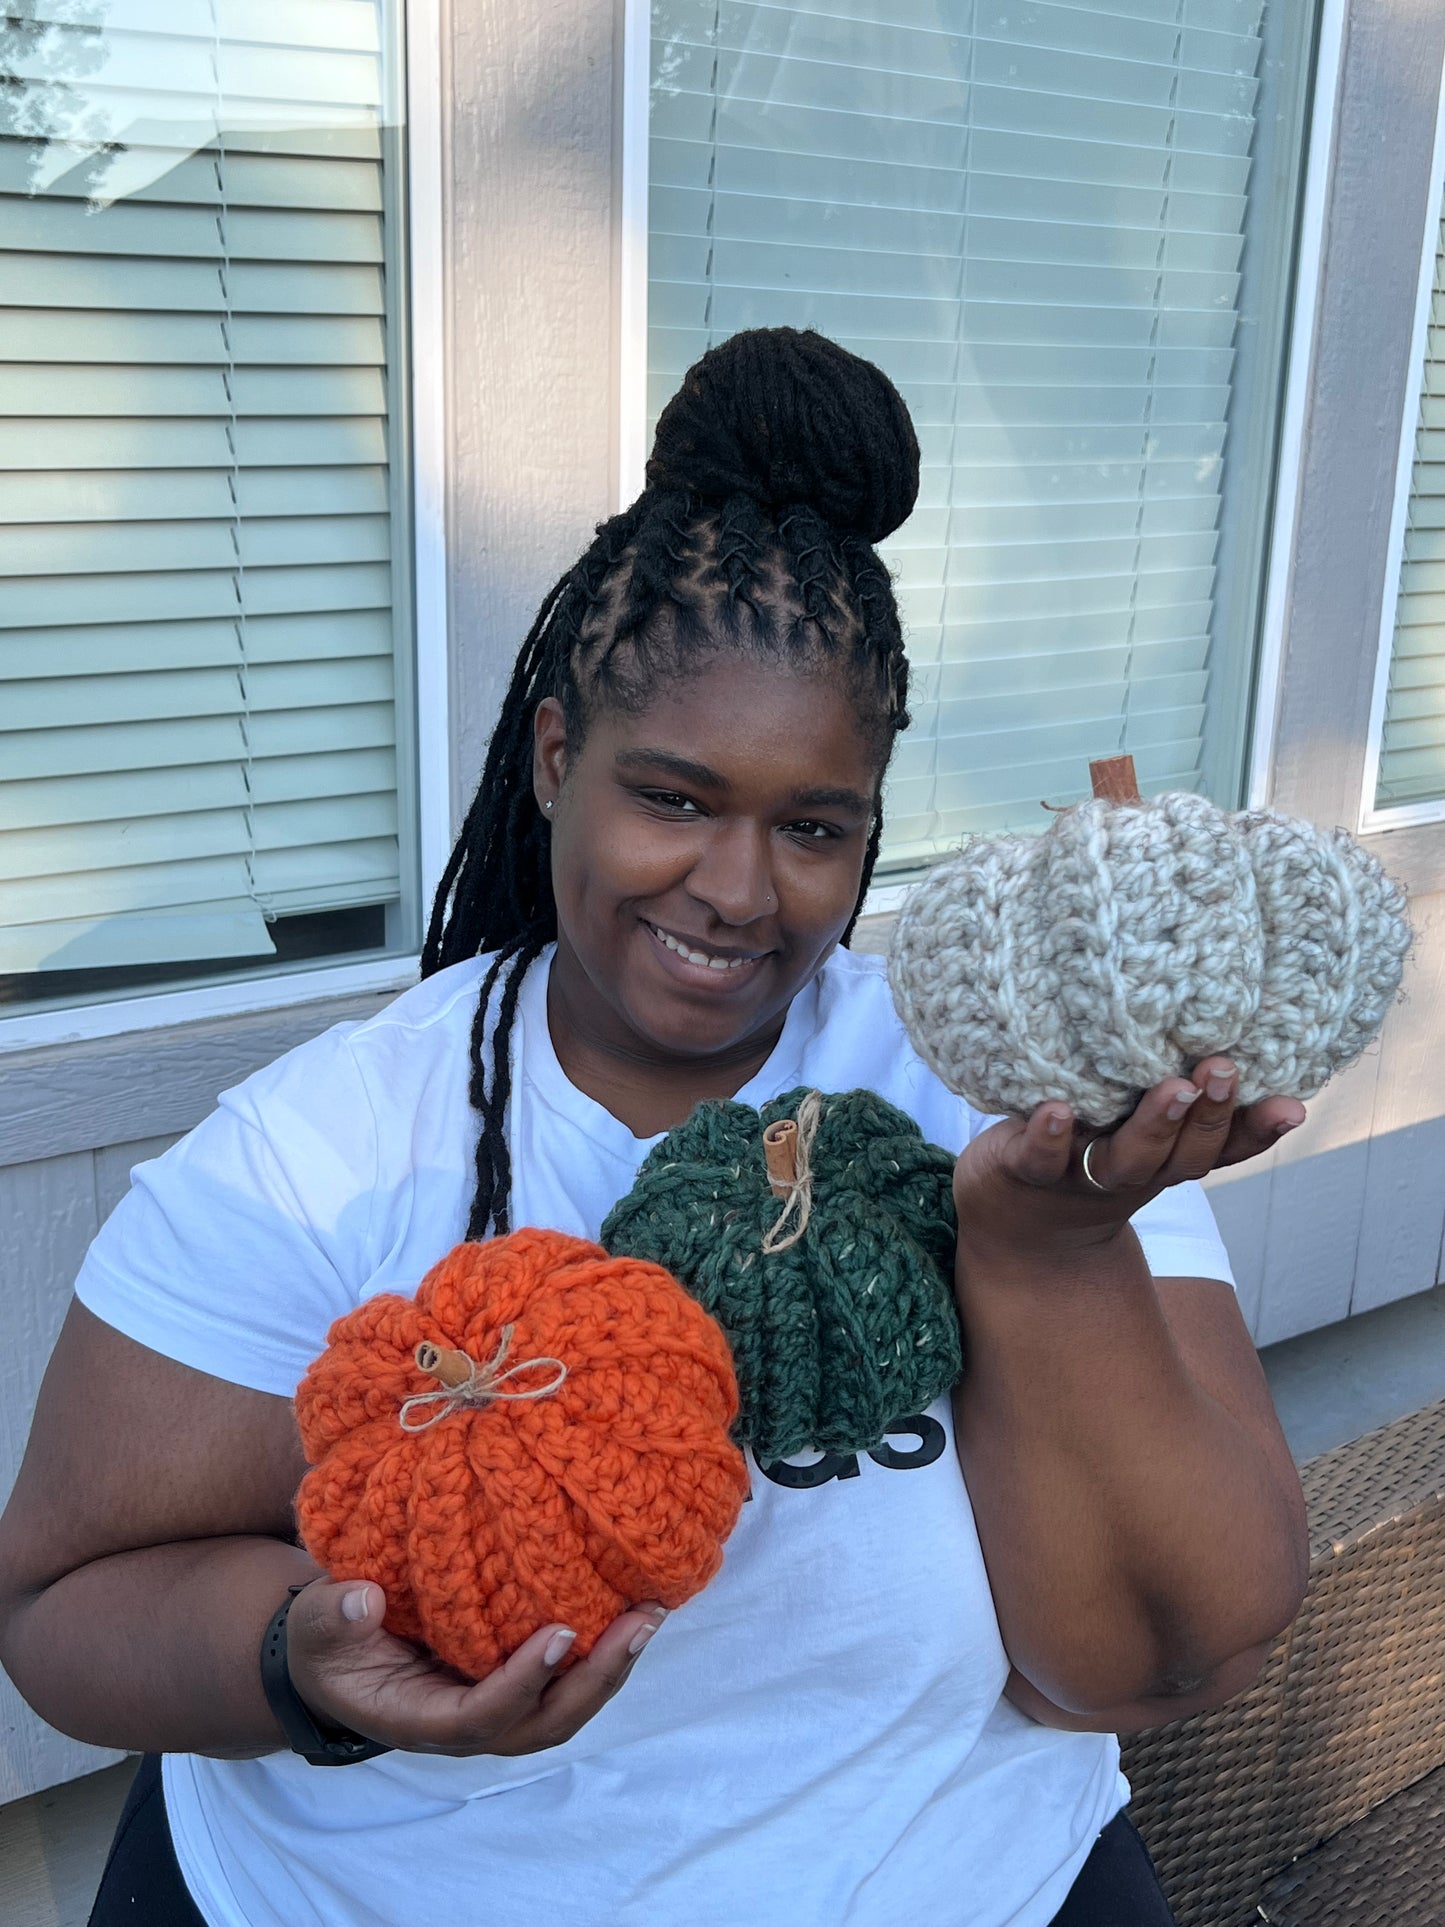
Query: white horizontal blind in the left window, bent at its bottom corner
point(197, 664)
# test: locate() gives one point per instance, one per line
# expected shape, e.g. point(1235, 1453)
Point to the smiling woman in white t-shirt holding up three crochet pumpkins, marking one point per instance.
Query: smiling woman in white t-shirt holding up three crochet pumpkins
point(899, 1697)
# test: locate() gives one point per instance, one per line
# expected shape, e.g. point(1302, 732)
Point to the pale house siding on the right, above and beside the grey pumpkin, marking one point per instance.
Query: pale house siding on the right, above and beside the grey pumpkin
point(1350, 1213)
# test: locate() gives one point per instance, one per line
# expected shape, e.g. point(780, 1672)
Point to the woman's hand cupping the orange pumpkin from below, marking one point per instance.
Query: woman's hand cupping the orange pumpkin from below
point(355, 1674)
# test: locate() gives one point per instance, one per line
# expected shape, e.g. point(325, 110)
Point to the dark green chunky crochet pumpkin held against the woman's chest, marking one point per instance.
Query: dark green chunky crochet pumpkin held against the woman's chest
point(845, 1331)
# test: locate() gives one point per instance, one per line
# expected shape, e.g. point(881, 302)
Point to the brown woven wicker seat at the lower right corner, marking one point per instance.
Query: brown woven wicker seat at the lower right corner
point(1319, 1797)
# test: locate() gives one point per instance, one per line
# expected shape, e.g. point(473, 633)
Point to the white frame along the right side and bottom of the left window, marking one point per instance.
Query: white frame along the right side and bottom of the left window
point(427, 394)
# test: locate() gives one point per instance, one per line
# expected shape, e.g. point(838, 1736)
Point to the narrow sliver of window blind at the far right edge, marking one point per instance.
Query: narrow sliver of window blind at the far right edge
point(1413, 747)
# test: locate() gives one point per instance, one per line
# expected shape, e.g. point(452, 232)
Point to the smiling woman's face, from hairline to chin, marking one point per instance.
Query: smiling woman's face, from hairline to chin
point(706, 857)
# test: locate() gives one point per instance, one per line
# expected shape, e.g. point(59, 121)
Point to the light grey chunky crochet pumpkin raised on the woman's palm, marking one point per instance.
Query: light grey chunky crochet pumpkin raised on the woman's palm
point(1134, 939)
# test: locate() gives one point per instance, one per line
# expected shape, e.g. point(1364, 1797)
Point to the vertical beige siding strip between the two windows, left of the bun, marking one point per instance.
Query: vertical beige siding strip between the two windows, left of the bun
point(531, 321)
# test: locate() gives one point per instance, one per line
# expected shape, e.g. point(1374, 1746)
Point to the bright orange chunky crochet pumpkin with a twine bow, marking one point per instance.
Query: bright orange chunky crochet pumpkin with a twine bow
point(540, 1435)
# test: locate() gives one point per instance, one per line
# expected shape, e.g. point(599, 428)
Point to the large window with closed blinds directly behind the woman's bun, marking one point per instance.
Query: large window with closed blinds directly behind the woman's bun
point(1066, 232)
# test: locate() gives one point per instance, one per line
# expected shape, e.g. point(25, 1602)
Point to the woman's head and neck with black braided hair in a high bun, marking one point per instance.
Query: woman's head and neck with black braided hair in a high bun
point(733, 633)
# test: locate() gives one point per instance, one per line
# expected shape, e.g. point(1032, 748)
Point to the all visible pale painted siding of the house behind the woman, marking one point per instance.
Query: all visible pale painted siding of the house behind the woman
point(1344, 1217)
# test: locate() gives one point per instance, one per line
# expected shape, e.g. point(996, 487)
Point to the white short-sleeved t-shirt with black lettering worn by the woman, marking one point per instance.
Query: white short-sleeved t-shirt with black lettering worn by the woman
point(816, 1741)
